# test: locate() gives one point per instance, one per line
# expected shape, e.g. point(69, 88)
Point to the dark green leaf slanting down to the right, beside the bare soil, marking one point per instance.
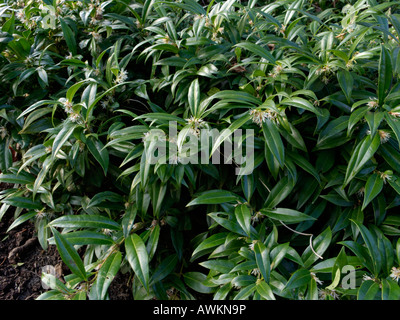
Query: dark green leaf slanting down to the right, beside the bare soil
point(69, 255)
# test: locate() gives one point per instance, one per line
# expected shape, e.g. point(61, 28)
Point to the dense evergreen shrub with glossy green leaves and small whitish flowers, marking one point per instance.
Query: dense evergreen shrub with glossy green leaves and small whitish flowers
point(84, 82)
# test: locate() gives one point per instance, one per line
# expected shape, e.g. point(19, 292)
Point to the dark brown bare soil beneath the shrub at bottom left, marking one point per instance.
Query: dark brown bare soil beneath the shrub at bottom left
point(22, 259)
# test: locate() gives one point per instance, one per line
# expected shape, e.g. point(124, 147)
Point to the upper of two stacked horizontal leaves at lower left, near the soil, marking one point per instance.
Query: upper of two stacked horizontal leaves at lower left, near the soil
point(85, 221)
